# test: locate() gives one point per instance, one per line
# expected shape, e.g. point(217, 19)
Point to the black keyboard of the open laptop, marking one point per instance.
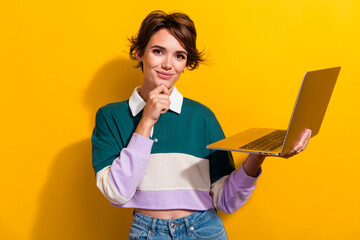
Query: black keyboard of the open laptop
point(268, 142)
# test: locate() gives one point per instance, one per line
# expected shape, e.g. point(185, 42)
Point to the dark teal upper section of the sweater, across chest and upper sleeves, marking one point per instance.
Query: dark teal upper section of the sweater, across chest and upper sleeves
point(188, 133)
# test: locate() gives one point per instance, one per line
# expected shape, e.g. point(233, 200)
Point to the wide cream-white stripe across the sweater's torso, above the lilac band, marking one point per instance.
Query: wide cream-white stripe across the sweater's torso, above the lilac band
point(176, 171)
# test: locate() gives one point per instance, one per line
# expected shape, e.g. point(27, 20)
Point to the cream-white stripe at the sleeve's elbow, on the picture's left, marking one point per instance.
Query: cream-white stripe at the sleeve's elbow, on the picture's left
point(107, 187)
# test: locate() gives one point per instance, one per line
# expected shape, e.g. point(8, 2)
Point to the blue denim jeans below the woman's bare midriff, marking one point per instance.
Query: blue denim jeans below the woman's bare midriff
point(198, 225)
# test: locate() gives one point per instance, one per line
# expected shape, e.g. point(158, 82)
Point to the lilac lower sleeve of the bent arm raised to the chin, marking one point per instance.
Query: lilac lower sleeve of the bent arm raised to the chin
point(128, 169)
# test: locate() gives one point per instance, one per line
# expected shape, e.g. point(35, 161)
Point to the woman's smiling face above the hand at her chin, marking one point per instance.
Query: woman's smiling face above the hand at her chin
point(164, 59)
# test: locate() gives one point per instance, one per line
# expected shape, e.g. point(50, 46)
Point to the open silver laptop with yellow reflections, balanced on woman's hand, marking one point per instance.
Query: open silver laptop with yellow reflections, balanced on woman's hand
point(310, 107)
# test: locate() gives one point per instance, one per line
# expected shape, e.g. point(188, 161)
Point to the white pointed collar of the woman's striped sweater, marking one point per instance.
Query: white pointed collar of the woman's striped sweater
point(136, 103)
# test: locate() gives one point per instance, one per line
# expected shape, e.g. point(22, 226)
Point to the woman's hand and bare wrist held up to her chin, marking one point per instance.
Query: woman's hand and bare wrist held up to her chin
point(158, 102)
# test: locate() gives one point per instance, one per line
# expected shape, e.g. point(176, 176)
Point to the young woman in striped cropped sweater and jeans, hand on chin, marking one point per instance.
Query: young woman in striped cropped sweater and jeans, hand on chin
point(149, 152)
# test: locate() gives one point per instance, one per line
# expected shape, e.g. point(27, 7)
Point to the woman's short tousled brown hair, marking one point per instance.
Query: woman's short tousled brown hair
point(179, 25)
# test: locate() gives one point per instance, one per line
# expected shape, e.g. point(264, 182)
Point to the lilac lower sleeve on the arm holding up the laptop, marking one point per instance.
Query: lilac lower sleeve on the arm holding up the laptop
point(237, 190)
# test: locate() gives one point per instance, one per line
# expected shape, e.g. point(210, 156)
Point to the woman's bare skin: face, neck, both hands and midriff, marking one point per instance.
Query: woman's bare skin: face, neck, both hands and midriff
point(164, 59)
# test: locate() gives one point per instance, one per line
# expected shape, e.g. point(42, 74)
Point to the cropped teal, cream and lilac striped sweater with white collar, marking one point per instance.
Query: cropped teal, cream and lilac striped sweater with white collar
point(171, 170)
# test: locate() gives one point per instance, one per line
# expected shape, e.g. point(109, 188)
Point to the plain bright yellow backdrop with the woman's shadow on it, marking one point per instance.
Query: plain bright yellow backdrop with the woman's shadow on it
point(61, 60)
